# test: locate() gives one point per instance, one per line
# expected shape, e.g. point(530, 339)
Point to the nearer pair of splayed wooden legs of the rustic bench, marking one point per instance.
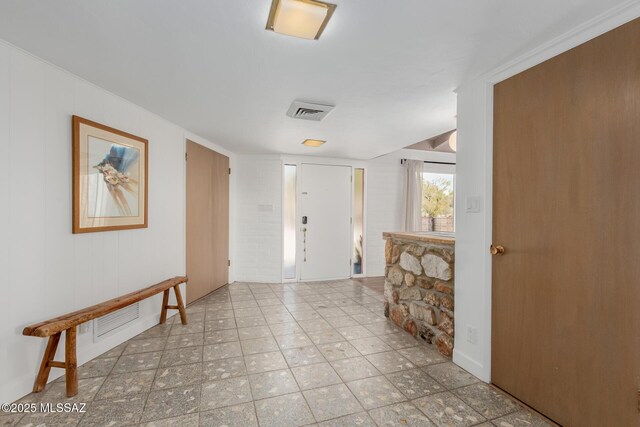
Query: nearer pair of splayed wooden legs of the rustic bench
point(70, 364)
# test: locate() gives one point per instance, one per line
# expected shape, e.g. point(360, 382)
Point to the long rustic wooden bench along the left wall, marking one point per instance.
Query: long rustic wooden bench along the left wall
point(68, 323)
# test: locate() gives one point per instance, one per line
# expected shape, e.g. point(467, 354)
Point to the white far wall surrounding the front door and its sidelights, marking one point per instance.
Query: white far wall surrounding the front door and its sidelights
point(259, 182)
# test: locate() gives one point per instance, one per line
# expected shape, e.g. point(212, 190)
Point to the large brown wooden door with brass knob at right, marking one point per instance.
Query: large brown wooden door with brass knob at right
point(566, 194)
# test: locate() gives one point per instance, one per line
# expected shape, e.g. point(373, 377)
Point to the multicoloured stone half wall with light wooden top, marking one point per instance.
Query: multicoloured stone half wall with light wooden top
point(419, 287)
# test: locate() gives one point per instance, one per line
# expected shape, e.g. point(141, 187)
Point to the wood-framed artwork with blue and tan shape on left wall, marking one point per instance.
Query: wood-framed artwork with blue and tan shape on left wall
point(109, 178)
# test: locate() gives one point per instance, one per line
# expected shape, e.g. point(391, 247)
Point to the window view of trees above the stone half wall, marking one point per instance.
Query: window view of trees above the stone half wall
point(437, 202)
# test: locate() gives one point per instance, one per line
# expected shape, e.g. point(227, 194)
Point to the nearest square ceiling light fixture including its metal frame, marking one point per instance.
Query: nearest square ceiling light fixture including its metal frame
point(300, 18)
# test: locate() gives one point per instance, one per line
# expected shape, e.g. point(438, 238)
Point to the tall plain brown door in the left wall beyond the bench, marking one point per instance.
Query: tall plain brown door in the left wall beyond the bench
point(207, 220)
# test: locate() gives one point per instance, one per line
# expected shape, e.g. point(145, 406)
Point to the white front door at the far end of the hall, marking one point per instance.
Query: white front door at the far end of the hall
point(325, 201)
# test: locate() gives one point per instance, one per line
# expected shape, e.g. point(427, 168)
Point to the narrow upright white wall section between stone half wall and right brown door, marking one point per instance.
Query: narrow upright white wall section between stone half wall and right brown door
point(473, 233)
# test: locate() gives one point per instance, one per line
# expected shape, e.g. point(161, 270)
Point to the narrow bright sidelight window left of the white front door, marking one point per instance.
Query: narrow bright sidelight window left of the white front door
point(289, 238)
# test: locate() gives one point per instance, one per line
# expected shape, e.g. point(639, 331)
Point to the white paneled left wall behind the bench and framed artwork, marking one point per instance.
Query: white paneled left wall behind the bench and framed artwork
point(46, 269)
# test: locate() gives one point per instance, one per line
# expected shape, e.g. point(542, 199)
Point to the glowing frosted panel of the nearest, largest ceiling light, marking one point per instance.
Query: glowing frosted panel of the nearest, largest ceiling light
point(299, 19)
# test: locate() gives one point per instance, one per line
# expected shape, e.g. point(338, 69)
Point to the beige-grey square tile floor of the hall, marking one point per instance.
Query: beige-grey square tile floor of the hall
point(279, 355)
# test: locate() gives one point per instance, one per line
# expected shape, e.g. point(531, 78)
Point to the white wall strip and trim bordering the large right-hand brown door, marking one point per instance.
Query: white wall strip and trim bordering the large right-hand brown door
point(474, 179)
